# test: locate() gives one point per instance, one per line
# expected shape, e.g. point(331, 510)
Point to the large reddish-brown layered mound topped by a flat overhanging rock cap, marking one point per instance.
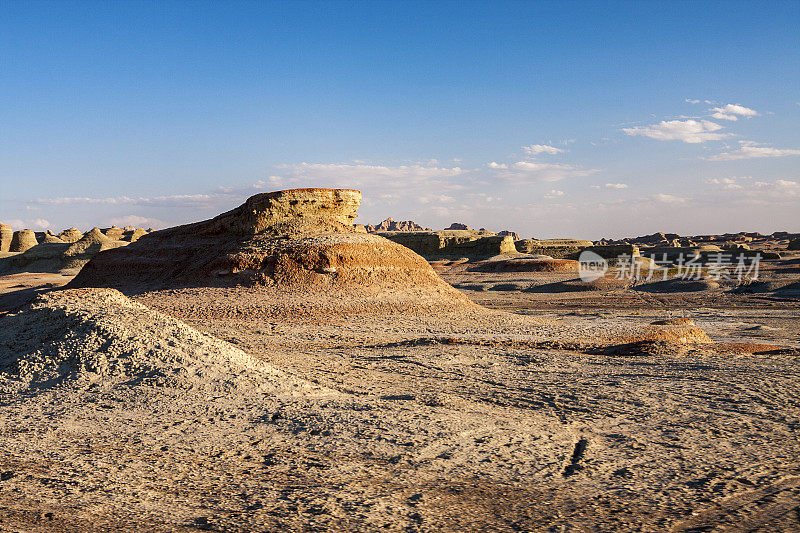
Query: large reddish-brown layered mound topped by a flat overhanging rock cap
point(300, 242)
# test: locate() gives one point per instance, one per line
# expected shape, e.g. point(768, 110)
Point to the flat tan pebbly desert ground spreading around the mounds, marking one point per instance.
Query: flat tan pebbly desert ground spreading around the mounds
point(422, 423)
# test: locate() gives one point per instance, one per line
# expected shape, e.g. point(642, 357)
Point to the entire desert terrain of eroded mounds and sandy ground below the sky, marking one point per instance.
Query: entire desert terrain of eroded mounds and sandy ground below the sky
point(279, 367)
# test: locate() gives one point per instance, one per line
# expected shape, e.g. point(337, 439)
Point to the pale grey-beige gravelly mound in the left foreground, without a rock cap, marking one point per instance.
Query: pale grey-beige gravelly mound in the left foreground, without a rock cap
point(78, 336)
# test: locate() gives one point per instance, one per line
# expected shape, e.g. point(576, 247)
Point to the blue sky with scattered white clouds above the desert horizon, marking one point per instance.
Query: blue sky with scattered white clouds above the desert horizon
point(548, 118)
